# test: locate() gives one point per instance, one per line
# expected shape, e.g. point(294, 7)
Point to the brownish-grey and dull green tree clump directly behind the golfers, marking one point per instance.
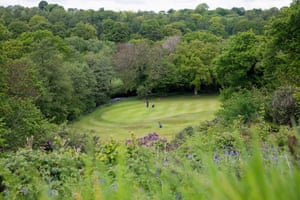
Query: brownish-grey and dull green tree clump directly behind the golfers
point(142, 65)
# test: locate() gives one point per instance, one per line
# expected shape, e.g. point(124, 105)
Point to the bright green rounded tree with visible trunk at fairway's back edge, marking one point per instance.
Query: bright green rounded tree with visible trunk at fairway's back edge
point(193, 59)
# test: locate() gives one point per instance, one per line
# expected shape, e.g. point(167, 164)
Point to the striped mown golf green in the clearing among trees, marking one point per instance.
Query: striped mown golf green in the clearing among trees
point(120, 119)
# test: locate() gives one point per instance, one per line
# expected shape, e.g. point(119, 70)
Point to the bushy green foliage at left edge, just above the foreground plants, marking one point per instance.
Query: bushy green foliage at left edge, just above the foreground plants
point(21, 120)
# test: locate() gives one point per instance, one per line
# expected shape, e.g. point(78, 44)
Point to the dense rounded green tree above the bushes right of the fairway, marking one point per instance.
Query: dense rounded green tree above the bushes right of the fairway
point(237, 66)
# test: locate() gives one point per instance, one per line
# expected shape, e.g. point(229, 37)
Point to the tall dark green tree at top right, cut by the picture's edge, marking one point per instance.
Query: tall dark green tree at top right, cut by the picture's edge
point(281, 58)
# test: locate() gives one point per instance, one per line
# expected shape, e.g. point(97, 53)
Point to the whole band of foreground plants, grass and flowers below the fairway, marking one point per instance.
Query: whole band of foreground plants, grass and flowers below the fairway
point(205, 162)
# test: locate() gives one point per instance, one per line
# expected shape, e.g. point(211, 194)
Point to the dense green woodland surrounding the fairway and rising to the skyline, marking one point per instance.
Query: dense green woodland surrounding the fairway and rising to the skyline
point(57, 65)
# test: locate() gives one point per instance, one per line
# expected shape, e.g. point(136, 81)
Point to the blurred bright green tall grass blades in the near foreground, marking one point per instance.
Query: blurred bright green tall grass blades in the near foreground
point(247, 177)
